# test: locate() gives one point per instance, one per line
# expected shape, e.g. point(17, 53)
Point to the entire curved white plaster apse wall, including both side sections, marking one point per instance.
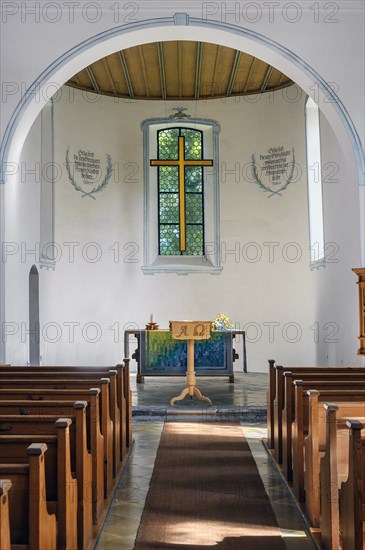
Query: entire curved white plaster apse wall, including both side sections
point(289, 312)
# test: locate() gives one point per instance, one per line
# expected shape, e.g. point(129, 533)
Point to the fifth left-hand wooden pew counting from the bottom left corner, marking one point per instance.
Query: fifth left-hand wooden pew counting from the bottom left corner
point(49, 398)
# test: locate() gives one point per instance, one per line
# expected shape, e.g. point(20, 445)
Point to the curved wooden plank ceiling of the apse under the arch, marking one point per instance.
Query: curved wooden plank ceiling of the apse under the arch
point(179, 70)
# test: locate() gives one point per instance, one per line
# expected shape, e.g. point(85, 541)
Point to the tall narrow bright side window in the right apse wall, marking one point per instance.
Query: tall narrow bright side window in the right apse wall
point(314, 176)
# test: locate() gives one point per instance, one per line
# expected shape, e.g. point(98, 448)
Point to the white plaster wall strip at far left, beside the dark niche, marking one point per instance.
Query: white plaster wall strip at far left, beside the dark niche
point(20, 248)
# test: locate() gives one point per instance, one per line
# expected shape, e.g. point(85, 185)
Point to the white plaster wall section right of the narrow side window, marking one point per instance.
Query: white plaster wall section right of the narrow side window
point(336, 290)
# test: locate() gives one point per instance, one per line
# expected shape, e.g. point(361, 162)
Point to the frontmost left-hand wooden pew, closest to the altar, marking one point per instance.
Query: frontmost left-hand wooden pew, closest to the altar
point(124, 397)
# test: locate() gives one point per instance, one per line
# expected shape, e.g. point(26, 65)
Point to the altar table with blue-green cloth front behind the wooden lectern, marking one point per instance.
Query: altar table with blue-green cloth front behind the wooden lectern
point(158, 354)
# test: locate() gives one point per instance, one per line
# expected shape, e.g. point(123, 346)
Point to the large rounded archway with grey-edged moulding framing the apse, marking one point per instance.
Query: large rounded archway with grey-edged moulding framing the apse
point(179, 27)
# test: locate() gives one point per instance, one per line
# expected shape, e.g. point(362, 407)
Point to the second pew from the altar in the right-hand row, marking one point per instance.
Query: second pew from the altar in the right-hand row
point(283, 443)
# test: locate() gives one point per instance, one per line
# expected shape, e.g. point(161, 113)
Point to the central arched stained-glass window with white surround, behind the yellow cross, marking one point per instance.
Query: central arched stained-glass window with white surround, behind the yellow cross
point(181, 196)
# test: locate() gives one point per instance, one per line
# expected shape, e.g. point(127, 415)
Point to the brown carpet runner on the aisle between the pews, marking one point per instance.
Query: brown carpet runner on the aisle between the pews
point(206, 492)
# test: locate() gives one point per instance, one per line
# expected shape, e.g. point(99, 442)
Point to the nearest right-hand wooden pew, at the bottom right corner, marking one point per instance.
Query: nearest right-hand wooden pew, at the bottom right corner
point(352, 491)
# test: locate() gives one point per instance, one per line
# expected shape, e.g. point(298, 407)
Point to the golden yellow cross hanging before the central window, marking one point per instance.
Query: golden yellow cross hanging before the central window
point(181, 162)
